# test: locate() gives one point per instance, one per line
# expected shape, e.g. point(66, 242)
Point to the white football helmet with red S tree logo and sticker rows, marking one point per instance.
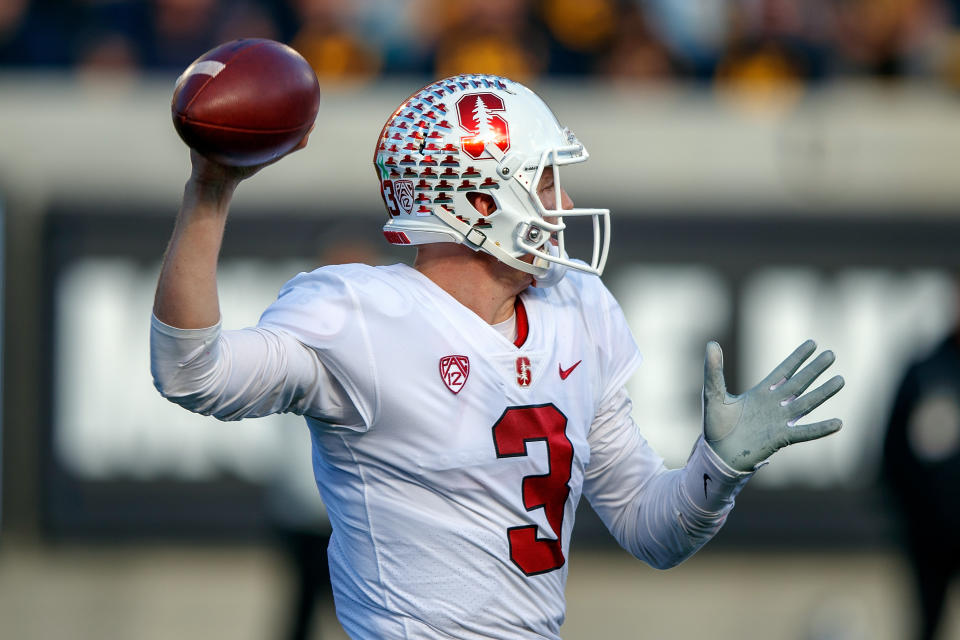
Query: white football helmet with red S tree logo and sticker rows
point(484, 134)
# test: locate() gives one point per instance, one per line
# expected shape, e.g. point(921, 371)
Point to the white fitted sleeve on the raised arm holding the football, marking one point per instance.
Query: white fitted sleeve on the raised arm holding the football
point(245, 373)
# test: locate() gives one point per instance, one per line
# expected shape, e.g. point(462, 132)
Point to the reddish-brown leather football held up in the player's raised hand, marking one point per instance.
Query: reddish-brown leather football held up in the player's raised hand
point(246, 102)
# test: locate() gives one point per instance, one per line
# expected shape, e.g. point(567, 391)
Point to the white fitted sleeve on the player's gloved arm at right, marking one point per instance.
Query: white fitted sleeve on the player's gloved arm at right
point(660, 516)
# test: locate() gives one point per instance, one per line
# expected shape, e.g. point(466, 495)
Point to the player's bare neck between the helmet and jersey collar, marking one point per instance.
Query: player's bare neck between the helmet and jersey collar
point(476, 280)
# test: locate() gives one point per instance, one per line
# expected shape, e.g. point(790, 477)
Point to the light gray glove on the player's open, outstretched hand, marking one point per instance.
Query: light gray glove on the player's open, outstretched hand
point(745, 430)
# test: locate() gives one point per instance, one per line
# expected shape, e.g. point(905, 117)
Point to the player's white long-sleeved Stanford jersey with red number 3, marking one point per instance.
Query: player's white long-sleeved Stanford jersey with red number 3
point(451, 460)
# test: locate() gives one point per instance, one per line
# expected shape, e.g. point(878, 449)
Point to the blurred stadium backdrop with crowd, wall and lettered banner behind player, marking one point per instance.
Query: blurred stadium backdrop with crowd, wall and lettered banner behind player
point(777, 170)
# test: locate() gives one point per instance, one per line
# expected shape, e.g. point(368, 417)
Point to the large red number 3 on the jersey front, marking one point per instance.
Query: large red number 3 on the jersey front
point(515, 428)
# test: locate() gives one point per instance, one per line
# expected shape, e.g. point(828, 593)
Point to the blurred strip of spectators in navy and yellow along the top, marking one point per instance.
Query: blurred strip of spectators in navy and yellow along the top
point(713, 41)
